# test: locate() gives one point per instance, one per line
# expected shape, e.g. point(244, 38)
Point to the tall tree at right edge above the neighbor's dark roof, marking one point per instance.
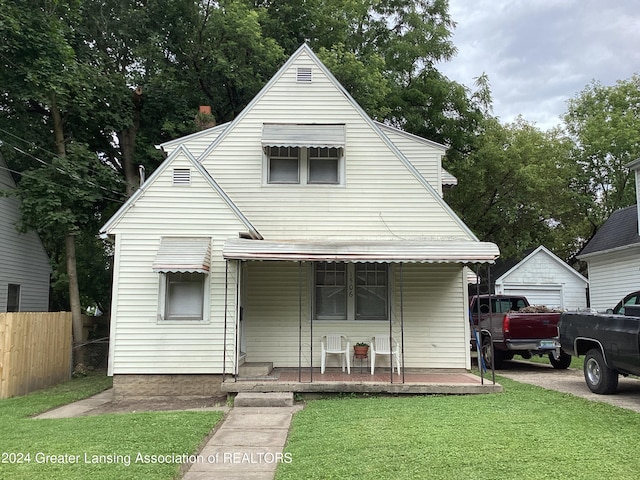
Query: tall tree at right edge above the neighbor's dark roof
point(604, 122)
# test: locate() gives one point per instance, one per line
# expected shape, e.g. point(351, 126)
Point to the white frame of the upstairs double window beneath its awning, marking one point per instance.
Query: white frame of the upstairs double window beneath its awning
point(304, 167)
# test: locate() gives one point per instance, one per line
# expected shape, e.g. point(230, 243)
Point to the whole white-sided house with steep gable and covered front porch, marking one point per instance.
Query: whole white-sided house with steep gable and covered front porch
point(299, 218)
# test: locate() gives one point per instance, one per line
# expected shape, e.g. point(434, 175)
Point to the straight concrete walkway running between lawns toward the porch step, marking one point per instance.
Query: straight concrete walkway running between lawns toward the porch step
point(248, 445)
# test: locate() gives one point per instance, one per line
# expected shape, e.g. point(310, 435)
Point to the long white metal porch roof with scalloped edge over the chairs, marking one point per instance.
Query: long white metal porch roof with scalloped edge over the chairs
point(396, 251)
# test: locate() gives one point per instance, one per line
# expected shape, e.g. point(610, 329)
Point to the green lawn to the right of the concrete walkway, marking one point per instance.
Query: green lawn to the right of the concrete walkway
point(525, 433)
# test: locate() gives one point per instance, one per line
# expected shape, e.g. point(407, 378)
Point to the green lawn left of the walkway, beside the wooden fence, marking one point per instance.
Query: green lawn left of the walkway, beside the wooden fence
point(105, 446)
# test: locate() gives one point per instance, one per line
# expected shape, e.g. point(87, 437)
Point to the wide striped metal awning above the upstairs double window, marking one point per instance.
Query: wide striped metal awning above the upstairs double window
point(303, 135)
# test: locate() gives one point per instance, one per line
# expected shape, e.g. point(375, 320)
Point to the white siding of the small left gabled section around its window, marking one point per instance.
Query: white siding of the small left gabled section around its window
point(139, 342)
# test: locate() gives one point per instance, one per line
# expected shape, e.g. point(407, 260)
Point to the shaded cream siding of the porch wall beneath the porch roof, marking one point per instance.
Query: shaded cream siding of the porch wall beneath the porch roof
point(434, 330)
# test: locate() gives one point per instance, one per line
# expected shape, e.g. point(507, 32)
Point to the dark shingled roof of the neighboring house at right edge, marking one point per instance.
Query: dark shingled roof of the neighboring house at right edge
point(618, 232)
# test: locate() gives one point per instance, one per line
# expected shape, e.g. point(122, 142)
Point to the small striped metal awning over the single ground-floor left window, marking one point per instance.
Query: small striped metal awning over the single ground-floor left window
point(183, 254)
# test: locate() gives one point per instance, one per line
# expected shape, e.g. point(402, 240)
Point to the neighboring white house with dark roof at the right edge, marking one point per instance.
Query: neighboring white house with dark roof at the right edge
point(613, 254)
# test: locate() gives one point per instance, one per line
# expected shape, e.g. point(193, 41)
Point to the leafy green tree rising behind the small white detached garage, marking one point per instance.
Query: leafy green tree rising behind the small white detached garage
point(513, 189)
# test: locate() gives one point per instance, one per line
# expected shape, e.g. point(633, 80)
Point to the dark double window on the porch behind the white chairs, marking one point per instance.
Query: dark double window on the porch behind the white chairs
point(348, 291)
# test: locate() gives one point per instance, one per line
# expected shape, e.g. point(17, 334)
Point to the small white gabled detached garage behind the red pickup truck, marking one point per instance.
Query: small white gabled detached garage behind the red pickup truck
point(544, 279)
